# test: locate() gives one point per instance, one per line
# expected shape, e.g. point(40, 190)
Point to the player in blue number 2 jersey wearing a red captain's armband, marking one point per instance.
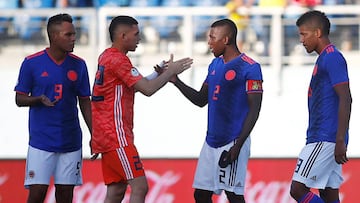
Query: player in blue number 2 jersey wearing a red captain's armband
point(233, 92)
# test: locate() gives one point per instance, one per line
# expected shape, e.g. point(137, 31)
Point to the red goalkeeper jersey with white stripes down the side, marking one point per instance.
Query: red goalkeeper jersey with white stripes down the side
point(113, 101)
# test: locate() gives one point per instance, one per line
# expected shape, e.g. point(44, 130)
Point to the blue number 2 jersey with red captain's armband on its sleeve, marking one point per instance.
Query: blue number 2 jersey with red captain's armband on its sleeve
point(228, 86)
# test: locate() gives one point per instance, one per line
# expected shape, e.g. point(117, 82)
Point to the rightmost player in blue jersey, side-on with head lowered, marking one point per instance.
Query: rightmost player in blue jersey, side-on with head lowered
point(320, 162)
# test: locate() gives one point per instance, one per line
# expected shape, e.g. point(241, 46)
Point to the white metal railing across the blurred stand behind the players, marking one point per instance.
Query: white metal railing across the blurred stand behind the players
point(98, 23)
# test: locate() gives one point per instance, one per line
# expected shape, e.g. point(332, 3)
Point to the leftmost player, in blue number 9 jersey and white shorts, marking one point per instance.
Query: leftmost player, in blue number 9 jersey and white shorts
point(52, 82)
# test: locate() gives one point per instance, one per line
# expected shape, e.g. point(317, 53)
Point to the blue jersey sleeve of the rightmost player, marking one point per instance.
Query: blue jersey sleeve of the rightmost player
point(337, 68)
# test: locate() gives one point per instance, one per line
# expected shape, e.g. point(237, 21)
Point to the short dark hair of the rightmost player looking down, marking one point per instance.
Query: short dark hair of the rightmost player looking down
point(315, 18)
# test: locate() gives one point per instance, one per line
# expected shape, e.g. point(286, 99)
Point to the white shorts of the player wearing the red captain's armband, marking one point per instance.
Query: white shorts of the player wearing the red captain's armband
point(209, 176)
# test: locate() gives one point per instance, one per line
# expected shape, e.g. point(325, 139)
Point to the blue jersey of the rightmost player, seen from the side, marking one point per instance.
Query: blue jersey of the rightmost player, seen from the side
point(323, 103)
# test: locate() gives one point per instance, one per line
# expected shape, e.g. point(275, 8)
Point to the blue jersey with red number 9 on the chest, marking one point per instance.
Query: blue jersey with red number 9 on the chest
point(54, 129)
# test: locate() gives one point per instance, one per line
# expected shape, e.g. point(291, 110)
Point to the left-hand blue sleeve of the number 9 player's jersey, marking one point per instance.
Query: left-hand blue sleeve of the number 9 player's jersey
point(24, 81)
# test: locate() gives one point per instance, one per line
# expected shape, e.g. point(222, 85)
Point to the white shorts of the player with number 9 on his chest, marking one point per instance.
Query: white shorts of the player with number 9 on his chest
point(42, 165)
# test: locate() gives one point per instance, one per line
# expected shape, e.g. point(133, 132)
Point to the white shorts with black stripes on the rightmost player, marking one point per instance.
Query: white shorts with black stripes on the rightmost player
point(317, 168)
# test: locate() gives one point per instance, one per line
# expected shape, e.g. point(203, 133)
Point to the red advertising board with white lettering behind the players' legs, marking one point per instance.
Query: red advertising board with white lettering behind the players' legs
point(170, 181)
